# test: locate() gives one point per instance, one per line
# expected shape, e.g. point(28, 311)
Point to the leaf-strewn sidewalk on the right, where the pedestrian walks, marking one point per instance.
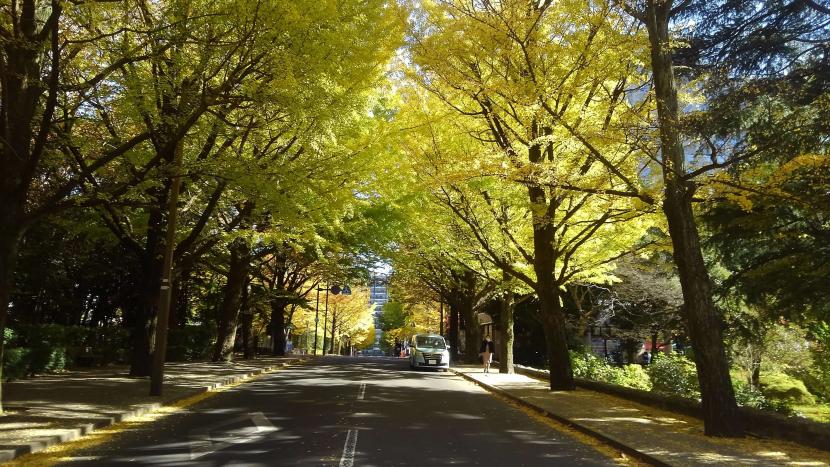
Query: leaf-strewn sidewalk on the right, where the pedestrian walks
point(653, 435)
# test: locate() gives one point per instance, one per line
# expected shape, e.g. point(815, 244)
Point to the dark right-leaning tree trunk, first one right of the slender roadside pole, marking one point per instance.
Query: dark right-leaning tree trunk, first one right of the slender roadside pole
point(229, 311)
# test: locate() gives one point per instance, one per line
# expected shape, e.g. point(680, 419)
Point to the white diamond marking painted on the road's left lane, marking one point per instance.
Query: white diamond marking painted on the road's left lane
point(212, 438)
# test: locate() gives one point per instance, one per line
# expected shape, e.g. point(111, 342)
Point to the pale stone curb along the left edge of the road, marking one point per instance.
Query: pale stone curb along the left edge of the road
point(11, 452)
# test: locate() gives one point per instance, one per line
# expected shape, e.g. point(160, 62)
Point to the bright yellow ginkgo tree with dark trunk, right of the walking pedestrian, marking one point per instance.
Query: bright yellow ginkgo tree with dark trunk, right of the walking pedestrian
point(535, 98)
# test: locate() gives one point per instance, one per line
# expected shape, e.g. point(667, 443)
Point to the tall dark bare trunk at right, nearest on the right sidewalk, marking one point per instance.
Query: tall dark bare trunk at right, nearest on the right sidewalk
point(720, 411)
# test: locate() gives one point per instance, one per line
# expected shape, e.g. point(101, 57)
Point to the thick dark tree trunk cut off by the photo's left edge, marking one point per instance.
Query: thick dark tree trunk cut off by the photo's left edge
point(29, 77)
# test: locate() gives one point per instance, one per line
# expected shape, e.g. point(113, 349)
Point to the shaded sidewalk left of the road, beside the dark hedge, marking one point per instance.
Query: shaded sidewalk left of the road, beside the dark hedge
point(51, 409)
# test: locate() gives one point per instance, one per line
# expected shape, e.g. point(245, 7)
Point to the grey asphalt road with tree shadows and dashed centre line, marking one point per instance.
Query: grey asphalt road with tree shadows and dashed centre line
point(365, 411)
